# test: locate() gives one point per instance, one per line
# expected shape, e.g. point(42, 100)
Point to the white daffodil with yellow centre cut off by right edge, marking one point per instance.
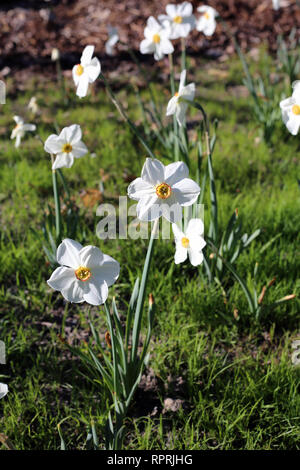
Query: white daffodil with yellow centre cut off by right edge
point(290, 109)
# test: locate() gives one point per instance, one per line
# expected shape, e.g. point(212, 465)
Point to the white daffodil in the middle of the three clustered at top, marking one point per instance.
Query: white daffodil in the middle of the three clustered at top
point(180, 19)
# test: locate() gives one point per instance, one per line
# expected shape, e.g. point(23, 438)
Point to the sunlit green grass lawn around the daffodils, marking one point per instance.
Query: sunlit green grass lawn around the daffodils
point(233, 375)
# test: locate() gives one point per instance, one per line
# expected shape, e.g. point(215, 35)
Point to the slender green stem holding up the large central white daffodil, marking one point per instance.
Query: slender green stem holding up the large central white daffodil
point(141, 296)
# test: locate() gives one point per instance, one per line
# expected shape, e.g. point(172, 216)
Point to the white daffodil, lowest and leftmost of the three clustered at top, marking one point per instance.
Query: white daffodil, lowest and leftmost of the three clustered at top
point(157, 40)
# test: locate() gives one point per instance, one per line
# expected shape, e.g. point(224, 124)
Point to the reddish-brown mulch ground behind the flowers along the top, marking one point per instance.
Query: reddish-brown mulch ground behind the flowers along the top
point(29, 29)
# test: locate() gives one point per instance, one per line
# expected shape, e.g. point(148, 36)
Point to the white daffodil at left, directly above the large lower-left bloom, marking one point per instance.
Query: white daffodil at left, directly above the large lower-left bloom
point(66, 146)
